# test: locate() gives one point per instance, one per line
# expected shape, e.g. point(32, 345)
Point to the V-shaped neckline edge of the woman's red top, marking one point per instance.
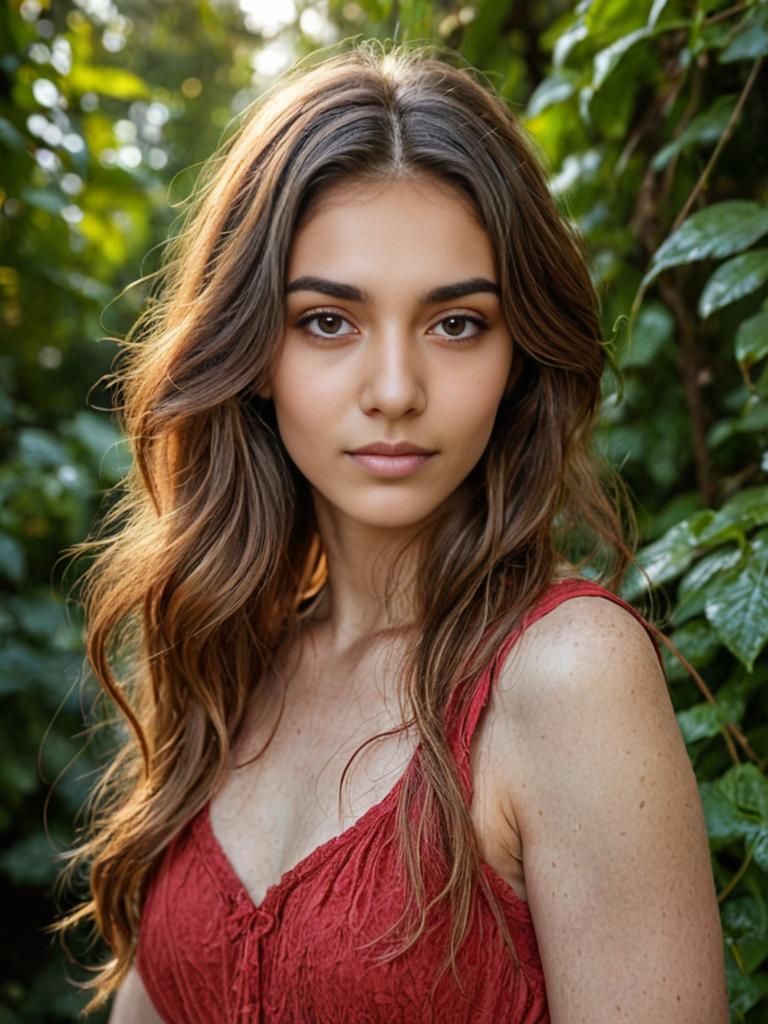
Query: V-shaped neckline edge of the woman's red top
point(235, 885)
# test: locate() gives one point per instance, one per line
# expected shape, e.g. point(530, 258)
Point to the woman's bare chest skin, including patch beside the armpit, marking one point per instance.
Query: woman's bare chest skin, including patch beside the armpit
point(271, 815)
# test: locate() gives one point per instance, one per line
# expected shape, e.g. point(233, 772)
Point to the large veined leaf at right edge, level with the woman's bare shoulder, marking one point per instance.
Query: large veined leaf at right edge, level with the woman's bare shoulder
point(738, 608)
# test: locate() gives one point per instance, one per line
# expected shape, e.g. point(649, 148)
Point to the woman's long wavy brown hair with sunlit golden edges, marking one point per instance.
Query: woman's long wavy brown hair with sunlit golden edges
point(210, 556)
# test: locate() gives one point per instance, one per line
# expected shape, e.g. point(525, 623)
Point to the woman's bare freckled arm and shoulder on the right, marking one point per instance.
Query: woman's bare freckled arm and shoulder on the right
point(616, 856)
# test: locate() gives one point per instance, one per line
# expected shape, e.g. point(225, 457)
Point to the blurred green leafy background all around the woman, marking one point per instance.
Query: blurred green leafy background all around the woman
point(651, 118)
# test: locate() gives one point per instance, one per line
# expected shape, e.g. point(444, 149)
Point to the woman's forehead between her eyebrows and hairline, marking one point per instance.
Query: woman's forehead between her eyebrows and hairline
point(421, 226)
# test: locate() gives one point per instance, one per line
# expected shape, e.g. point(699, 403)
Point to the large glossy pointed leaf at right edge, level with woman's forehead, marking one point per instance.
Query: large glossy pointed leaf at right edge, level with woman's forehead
point(715, 233)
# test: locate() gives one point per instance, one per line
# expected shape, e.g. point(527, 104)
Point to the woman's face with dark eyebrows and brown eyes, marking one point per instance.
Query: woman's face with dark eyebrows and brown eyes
point(369, 356)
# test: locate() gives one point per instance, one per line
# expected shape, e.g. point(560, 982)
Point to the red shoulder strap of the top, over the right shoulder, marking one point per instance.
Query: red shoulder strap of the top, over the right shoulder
point(556, 594)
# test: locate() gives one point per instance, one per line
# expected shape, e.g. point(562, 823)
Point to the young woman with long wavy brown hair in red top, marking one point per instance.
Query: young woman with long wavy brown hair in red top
point(362, 497)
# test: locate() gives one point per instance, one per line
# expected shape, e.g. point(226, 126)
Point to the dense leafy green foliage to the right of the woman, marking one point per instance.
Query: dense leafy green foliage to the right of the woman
point(651, 117)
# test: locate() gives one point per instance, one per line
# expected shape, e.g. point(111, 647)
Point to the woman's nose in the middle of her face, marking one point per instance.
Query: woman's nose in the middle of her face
point(394, 376)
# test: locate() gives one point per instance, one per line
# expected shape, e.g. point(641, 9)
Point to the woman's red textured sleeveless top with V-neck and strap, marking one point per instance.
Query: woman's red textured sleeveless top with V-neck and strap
point(207, 955)
